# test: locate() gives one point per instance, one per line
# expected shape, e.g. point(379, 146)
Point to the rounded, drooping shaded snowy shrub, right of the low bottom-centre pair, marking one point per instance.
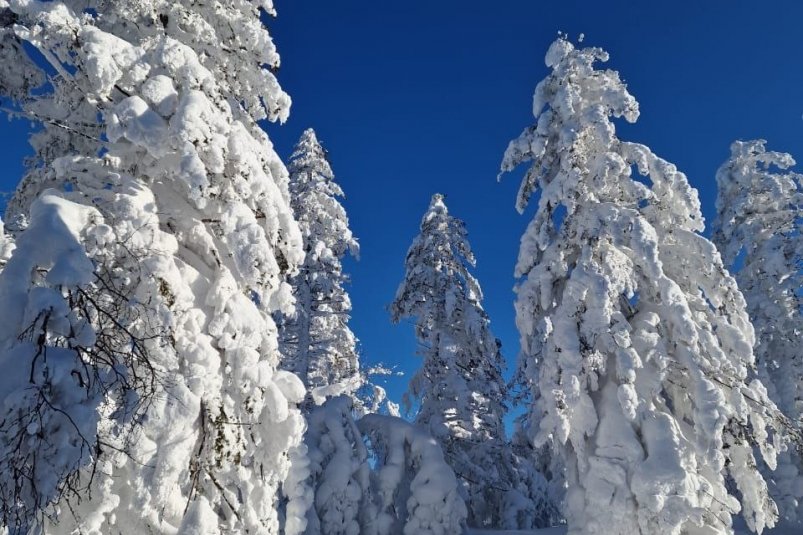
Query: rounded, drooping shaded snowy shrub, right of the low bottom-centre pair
point(414, 491)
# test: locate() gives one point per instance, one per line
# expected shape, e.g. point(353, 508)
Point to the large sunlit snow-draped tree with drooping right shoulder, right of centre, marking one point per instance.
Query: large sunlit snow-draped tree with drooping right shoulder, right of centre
point(635, 337)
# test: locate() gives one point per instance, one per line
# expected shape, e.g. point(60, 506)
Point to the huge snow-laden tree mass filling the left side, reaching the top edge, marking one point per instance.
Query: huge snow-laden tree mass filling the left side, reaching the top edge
point(140, 390)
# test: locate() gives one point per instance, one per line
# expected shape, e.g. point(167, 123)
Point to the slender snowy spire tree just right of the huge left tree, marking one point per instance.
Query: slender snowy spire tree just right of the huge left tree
point(316, 342)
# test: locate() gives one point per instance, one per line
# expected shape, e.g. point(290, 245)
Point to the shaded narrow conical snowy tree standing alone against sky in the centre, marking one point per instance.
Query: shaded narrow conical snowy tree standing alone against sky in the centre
point(459, 388)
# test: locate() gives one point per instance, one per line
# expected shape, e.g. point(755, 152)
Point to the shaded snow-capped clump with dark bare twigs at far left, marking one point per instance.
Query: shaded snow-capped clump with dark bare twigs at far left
point(50, 400)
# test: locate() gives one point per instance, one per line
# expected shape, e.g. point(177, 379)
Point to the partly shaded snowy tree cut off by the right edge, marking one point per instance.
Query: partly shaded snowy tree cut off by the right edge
point(758, 231)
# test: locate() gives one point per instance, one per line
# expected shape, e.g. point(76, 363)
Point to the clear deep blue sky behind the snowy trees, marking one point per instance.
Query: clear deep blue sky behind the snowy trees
point(416, 97)
